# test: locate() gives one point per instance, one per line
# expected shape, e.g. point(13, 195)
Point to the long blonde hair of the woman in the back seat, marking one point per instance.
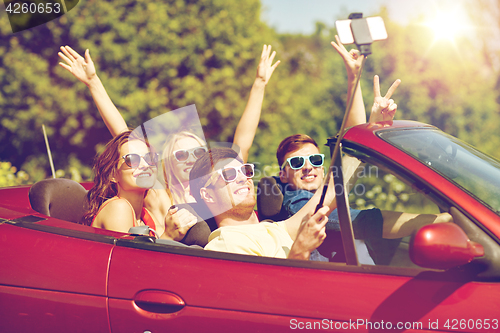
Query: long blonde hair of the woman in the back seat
point(171, 180)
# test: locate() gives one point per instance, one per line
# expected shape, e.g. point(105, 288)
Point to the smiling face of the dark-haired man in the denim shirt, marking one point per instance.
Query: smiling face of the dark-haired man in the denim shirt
point(308, 177)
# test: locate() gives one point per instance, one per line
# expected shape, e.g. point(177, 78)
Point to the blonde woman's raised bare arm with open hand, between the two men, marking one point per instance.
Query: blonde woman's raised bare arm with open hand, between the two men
point(247, 126)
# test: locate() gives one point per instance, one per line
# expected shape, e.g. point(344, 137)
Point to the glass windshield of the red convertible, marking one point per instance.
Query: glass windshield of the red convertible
point(477, 173)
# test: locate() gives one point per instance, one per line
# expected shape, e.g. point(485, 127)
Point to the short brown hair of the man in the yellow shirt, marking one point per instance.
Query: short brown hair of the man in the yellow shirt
point(204, 166)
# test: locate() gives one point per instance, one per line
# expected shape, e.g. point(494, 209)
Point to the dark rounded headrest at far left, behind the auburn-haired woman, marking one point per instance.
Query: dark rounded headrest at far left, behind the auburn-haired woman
point(61, 198)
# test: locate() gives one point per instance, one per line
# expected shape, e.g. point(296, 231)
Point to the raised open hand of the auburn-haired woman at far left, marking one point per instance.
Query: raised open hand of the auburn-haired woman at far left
point(82, 68)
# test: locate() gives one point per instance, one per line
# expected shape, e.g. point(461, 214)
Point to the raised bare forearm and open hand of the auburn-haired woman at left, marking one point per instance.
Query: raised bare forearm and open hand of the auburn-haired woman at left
point(84, 70)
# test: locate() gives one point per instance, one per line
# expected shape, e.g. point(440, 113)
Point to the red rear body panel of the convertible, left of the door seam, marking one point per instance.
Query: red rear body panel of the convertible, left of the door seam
point(52, 279)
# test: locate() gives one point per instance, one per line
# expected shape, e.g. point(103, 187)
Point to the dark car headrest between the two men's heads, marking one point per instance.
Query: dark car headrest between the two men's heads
point(270, 199)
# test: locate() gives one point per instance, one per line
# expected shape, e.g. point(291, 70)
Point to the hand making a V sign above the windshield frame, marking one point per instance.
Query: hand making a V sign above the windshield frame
point(383, 108)
